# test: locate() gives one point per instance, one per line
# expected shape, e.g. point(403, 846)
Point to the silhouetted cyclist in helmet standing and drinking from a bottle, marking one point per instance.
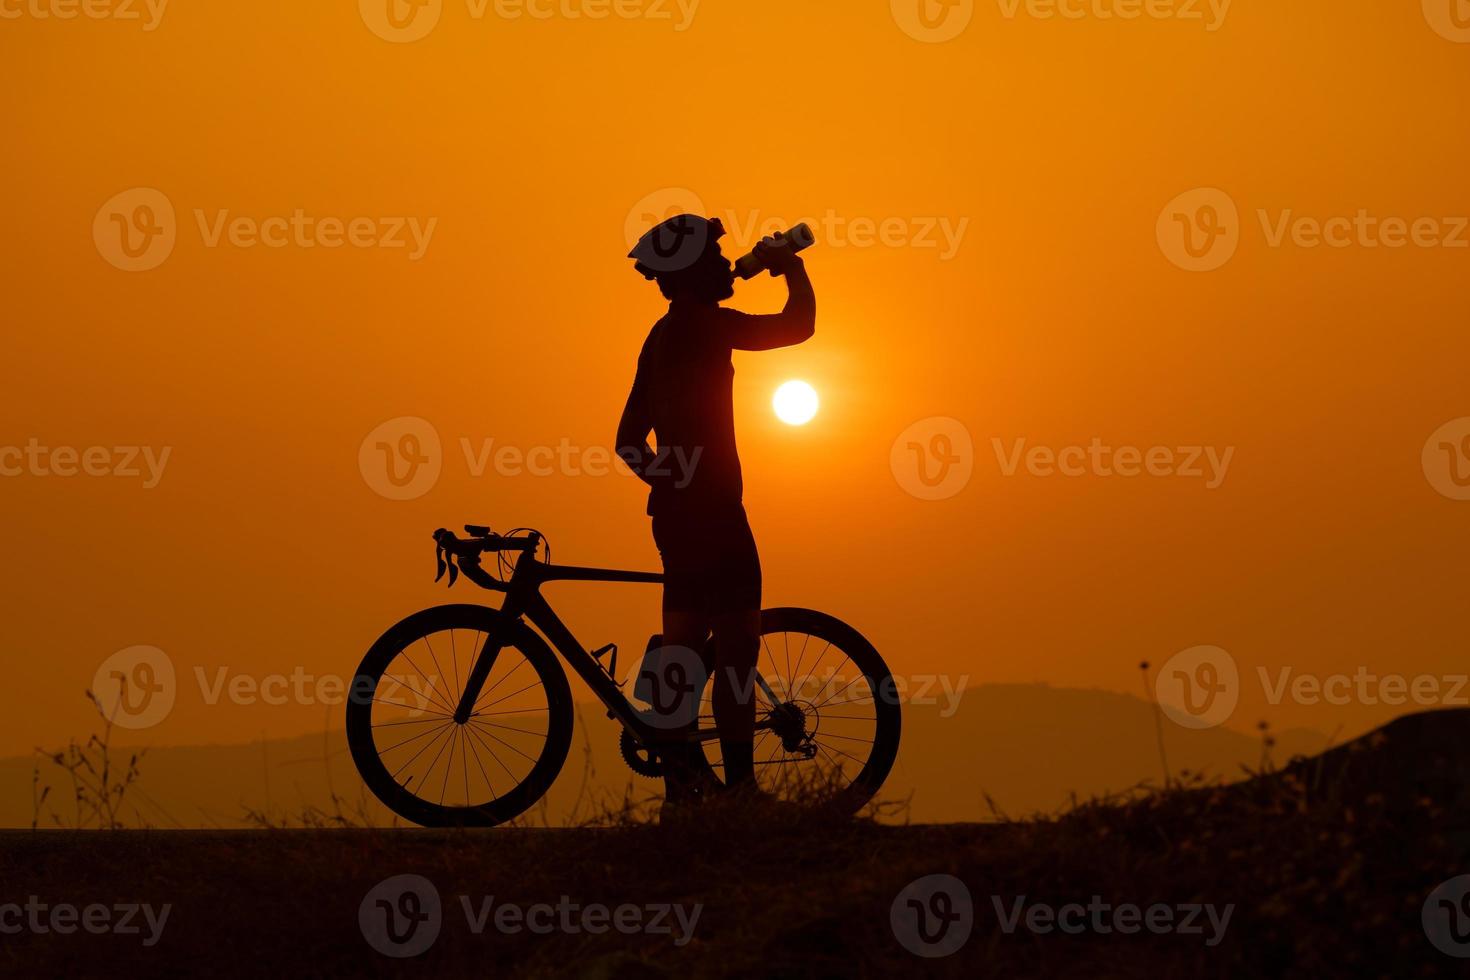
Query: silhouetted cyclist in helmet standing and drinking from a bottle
point(683, 394)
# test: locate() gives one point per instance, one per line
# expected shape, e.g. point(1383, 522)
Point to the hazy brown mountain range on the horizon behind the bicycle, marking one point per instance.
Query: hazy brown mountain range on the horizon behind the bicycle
point(1027, 747)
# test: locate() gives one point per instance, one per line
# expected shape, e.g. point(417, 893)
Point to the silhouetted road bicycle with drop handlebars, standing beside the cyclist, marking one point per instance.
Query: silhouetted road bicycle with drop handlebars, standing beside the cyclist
point(476, 740)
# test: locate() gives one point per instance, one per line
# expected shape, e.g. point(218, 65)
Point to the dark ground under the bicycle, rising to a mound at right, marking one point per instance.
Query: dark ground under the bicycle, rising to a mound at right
point(1331, 868)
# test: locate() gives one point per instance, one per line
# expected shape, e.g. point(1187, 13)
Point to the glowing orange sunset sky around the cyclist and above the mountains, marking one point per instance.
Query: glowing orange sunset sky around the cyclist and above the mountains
point(1049, 149)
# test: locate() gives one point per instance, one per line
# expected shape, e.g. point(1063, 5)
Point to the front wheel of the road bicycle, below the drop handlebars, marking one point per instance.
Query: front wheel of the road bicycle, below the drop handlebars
point(433, 771)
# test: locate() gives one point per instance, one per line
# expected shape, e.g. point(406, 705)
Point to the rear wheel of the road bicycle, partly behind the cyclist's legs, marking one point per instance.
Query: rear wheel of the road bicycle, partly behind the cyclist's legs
point(828, 716)
